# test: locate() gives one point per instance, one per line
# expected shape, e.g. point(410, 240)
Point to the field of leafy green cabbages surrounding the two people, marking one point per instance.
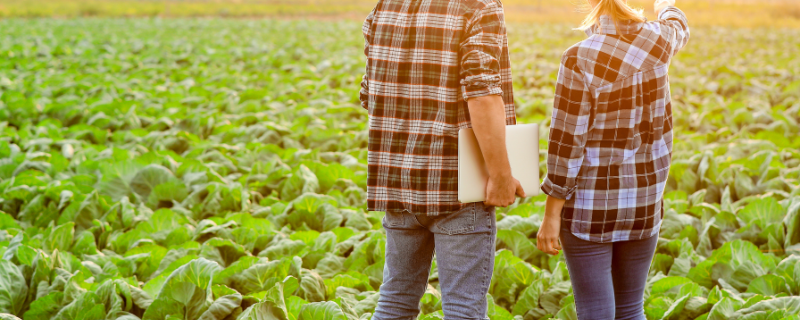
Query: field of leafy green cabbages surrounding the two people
point(215, 169)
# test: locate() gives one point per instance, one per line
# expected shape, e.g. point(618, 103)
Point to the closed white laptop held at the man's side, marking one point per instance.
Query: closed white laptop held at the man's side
point(522, 143)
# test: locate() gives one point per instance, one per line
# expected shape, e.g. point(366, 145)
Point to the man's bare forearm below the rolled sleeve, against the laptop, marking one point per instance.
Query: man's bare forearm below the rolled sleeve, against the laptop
point(488, 118)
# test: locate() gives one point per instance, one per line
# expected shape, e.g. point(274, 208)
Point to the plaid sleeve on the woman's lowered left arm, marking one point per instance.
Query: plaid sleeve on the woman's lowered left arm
point(569, 129)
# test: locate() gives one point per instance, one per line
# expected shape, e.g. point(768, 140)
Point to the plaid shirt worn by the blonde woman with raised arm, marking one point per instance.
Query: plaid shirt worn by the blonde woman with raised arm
point(610, 144)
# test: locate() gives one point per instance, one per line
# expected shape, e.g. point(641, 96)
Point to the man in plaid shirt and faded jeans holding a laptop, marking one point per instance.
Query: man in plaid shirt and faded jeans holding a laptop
point(434, 67)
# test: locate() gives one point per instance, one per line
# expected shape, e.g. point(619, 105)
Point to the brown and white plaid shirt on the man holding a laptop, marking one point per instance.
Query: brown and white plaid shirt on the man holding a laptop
point(425, 58)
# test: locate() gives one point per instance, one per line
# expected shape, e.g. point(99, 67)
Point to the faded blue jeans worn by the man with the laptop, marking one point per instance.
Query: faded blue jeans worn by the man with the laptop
point(465, 244)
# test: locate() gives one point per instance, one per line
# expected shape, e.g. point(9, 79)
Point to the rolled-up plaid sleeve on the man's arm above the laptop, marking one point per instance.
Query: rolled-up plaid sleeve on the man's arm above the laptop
point(481, 50)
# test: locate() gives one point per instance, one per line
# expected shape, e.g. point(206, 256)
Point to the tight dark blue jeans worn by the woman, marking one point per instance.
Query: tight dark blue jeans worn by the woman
point(608, 279)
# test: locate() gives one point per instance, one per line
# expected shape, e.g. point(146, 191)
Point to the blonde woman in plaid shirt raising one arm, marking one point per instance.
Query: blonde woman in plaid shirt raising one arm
point(609, 155)
